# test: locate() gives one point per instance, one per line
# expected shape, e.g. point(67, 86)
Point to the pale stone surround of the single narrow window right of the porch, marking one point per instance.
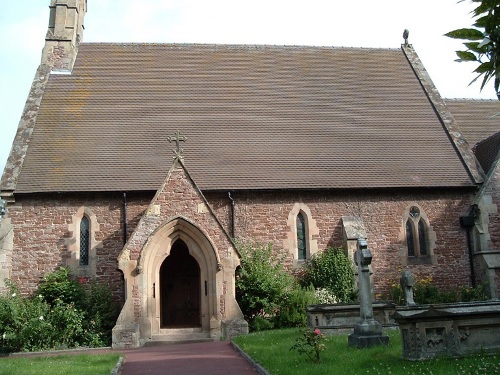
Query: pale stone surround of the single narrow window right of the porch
point(312, 230)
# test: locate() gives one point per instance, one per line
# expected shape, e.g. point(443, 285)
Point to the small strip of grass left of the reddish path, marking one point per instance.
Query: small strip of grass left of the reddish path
point(81, 364)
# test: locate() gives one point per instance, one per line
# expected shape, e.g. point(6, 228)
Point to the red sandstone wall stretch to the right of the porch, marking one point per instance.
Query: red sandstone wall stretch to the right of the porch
point(264, 216)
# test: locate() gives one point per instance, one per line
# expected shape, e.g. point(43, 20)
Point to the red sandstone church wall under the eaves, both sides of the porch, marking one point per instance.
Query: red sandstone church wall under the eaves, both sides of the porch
point(41, 228)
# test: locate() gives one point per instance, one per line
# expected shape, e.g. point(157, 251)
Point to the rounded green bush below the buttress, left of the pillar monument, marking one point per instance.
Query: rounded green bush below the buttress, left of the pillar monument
point(332, 270)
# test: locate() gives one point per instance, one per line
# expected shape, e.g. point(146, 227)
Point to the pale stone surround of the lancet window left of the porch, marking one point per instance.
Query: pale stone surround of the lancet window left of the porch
point(73, 243)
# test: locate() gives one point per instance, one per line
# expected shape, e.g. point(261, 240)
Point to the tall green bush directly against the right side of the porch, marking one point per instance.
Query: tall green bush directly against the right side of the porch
point(268, 295)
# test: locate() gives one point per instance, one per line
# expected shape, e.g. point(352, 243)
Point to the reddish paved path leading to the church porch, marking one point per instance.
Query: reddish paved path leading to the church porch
point(207, 358)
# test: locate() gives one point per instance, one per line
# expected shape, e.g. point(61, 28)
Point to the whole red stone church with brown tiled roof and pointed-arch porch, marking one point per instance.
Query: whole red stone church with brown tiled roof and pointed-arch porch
point(139, 164)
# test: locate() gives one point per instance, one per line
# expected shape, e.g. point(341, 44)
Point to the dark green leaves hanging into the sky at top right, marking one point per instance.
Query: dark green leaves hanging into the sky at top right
point(487, 51)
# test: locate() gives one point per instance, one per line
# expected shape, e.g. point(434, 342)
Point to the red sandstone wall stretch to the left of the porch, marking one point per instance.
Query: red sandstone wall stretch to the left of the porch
point(41, 235)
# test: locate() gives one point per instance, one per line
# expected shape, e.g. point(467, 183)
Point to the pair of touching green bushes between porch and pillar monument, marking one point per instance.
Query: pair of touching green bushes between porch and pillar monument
point(271, 297)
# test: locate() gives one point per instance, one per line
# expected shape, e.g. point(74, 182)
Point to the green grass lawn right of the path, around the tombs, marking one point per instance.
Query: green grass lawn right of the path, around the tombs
point(271, 349)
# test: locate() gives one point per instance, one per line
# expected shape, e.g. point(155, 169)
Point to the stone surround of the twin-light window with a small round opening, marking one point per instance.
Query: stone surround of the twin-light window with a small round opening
point(430, 258)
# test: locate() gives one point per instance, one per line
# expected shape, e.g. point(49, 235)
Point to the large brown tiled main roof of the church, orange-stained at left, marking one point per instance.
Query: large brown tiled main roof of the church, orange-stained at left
point(256, 117)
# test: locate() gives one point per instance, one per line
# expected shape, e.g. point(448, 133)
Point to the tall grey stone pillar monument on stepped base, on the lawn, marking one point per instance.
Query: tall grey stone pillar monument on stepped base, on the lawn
point(367, 331)
